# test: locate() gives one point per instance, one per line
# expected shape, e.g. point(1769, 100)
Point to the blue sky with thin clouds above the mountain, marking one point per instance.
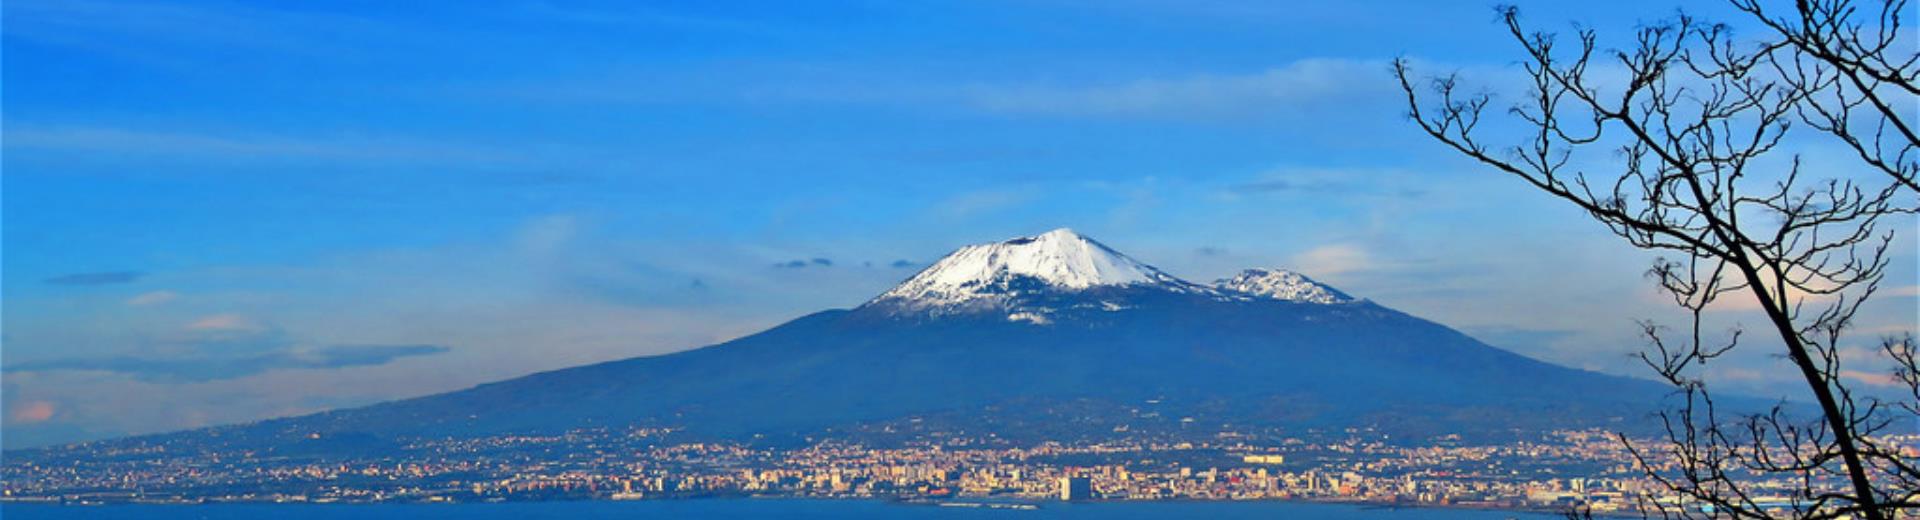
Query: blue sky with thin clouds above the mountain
point(224, 212)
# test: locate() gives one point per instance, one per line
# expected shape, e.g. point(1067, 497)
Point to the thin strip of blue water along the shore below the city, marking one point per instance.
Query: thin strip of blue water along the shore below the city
point(759, 509)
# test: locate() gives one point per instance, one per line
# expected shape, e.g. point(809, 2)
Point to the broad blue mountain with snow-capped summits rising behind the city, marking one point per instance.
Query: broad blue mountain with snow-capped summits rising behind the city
point(1045, 337)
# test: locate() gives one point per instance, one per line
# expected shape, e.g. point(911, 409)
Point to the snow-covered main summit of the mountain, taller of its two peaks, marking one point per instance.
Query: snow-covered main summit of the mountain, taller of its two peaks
point(1059, 262)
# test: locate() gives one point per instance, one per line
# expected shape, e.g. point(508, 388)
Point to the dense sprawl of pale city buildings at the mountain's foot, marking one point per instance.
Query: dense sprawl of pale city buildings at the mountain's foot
point(1558, 471)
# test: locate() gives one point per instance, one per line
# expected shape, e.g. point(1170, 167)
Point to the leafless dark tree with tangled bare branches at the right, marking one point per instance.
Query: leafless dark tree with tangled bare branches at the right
point(1679, 145)
